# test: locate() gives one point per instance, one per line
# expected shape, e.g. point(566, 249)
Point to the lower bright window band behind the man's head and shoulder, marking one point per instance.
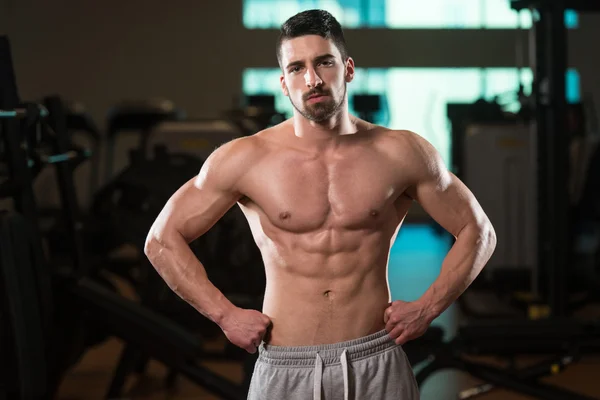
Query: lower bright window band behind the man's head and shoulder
point(417, 97)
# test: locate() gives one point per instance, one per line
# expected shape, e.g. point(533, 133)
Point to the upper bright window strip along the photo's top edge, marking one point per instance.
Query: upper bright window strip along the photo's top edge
point(432, 14)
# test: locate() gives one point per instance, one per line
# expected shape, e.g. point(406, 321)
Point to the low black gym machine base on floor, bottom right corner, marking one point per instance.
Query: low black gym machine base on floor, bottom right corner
point(562, 341)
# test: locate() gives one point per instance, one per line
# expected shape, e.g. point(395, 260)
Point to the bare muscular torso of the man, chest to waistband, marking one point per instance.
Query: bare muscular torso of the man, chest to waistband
point(324, 220)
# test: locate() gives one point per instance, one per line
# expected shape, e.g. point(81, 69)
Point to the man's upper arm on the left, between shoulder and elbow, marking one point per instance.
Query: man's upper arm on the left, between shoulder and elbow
point(193, 210)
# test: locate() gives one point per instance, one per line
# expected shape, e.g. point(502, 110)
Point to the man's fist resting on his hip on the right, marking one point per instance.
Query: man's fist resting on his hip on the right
point(405, 321)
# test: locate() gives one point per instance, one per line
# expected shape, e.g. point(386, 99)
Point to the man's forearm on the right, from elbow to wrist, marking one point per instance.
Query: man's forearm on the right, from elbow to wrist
point(465, 260)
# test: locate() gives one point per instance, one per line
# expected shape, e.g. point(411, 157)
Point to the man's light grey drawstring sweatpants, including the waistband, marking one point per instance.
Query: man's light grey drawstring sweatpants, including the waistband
point(368, 368)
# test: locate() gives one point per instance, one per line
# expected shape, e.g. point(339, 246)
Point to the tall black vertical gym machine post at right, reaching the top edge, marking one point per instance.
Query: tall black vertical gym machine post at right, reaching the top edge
point(550, 111)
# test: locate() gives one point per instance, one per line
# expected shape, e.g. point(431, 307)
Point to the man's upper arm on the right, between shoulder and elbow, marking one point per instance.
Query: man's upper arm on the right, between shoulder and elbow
point(449, 202)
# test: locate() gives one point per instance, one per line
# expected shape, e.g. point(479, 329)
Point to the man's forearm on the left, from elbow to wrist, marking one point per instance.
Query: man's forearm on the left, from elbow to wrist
point(185, 275)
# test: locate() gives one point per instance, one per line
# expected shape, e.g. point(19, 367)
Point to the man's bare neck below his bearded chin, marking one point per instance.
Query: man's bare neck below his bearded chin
point(338, 125)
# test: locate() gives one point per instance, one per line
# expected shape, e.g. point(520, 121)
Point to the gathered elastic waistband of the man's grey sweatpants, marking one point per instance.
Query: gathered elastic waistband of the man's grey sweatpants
point(329, 353)
